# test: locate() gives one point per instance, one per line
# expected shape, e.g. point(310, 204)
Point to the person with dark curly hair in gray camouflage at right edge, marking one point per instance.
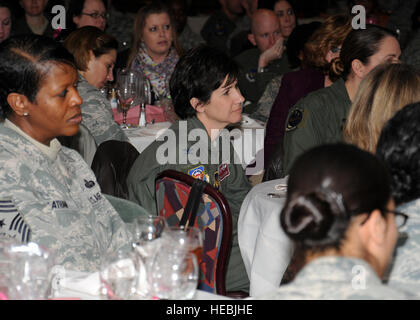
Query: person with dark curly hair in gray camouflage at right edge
point(398, 148)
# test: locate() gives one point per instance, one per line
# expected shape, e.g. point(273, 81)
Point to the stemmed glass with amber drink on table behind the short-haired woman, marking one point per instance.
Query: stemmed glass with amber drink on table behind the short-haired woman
point(127, 91)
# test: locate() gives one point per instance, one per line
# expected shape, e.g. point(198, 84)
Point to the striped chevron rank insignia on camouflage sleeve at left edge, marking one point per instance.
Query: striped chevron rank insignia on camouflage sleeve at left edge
point(12, 224)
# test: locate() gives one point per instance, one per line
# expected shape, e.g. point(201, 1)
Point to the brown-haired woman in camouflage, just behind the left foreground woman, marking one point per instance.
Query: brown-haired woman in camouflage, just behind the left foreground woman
point(95, 52)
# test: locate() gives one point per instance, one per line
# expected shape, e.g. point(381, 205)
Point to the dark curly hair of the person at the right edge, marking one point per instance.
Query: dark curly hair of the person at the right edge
point(399, 148)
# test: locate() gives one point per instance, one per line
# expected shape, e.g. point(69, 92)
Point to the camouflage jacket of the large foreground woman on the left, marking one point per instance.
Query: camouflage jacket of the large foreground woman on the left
point(56, 203)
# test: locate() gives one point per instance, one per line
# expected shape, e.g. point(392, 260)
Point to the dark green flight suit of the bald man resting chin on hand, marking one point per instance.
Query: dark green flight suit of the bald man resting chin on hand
point(253, 83)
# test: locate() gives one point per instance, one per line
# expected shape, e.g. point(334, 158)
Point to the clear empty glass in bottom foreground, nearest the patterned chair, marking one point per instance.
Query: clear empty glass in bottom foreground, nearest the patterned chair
point(174, 274)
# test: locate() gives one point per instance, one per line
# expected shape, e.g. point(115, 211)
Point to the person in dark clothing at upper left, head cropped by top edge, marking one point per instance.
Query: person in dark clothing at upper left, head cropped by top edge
point(34, 21)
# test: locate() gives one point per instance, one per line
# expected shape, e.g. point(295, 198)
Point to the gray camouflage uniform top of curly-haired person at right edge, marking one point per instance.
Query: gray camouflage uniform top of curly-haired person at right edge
point(405, 267)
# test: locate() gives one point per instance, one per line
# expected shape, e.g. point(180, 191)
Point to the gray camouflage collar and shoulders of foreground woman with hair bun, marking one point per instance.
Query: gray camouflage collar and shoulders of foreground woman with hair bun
point(337, 278)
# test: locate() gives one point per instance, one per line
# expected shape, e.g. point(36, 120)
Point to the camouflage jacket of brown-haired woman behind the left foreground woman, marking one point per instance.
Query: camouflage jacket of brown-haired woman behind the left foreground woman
point(97, 114)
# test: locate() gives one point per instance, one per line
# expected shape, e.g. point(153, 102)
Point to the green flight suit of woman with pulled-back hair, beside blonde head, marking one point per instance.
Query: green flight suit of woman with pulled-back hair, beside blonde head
point(315, 120)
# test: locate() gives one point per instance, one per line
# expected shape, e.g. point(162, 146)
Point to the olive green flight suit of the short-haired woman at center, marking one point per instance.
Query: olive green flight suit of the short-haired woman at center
point(231, 181)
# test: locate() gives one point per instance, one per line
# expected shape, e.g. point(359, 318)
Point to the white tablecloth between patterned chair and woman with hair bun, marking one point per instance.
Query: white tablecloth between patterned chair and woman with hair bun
point(265, 248)
